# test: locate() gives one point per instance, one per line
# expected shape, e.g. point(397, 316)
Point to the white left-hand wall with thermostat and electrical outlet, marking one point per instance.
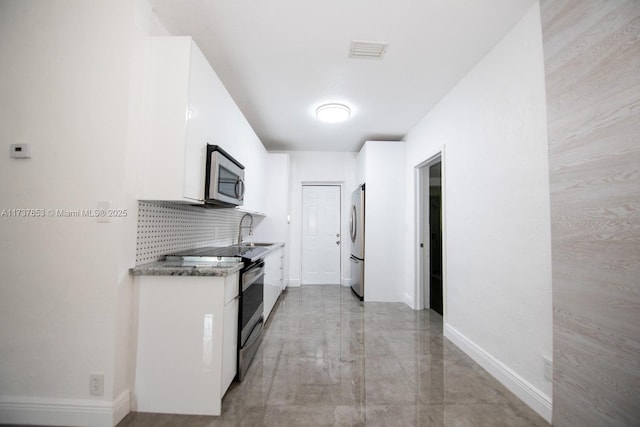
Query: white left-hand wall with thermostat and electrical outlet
point(68, 86)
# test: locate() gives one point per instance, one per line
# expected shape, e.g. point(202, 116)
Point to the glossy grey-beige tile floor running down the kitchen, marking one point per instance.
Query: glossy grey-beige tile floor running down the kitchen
point(329, 360)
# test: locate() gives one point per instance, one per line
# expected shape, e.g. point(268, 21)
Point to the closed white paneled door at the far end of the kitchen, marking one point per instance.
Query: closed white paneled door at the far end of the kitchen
point(321, 235)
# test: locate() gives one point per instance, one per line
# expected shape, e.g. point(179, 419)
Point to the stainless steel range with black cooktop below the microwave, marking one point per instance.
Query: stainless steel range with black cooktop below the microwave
point(251, 307)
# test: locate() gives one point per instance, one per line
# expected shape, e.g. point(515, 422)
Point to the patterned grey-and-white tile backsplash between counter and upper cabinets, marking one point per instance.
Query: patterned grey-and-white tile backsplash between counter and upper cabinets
point(165, 227)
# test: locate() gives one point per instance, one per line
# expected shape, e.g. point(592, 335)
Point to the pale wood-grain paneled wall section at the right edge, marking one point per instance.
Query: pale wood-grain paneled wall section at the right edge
point(592, 62)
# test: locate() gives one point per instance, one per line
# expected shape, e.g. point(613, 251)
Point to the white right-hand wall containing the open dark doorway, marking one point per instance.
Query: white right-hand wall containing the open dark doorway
point(496, 211)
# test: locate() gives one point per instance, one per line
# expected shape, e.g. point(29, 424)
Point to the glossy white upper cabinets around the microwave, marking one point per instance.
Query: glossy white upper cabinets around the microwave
point(186, 108)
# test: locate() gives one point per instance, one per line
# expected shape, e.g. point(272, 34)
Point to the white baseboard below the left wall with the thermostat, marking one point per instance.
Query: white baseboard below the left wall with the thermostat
point(64, 412)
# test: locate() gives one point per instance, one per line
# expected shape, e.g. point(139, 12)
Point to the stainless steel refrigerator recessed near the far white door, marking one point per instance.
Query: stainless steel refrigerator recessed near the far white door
point(356, 229)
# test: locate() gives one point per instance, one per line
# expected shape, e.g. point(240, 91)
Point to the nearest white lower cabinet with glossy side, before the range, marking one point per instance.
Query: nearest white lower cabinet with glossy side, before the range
point(186, 353)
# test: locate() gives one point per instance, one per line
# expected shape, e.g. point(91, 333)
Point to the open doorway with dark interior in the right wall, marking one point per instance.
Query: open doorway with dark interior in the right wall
point(430, 261)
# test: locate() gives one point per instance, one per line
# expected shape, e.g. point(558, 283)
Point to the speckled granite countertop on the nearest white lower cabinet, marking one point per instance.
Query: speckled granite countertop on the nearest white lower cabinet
point(172, 268)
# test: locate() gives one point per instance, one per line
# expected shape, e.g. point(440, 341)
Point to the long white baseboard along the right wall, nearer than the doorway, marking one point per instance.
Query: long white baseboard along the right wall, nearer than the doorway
point(531, 395)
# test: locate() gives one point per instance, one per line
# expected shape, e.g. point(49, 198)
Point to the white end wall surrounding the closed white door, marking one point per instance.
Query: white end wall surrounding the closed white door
point(323, 167)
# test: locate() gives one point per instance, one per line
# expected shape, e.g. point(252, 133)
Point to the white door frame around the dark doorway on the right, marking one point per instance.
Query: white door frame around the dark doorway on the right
point(422, 217)
